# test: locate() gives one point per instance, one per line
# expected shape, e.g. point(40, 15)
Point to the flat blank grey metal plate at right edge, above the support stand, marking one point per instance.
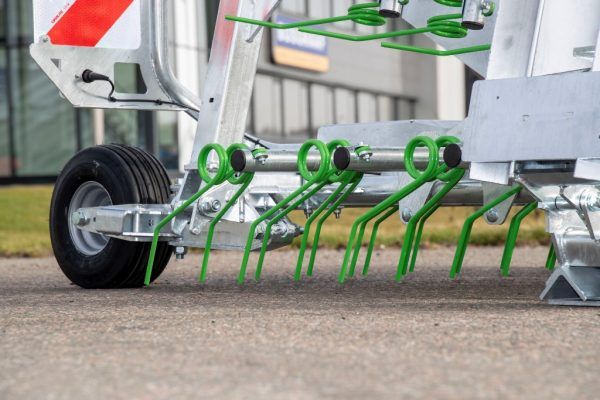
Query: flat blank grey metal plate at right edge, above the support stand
point(555, 117)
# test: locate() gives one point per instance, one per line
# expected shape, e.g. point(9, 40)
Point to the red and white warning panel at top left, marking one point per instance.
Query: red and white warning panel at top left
point(111, 24)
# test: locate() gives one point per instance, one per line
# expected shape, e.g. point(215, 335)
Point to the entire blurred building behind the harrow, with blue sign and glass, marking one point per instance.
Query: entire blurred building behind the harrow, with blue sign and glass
point(343, 82)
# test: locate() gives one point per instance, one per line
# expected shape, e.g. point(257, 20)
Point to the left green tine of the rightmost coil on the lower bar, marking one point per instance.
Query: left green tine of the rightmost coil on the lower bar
point(420, 180)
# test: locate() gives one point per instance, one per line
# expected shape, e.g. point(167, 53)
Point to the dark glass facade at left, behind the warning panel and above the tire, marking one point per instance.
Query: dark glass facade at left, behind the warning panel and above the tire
point(40, 131)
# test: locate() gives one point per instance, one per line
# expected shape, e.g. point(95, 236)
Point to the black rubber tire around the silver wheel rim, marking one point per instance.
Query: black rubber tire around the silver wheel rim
point(130, 176)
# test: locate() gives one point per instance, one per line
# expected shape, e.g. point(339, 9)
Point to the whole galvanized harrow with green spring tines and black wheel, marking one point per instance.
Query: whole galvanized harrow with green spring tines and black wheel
point(531, 139)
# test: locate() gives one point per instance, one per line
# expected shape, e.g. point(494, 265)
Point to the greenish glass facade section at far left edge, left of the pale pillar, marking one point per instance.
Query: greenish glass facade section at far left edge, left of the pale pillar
point(38, 129)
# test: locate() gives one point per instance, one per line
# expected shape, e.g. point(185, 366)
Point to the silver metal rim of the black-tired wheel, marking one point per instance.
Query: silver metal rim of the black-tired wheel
point(90, 194)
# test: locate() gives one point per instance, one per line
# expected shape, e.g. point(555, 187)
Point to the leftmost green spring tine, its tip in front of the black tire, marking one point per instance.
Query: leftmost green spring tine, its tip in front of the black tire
point(220, 177)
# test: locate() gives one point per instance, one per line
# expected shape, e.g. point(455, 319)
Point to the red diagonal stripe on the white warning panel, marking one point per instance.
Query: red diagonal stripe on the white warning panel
point(87, 21)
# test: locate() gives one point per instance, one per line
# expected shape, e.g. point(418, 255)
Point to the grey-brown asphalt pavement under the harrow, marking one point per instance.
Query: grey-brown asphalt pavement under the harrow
point(479, 337)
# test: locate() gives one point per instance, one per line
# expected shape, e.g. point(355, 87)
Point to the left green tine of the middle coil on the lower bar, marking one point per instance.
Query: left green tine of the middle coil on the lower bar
point(310, 178)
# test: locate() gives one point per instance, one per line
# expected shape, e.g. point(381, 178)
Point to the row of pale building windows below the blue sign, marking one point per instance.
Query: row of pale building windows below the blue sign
point(292, 110)
